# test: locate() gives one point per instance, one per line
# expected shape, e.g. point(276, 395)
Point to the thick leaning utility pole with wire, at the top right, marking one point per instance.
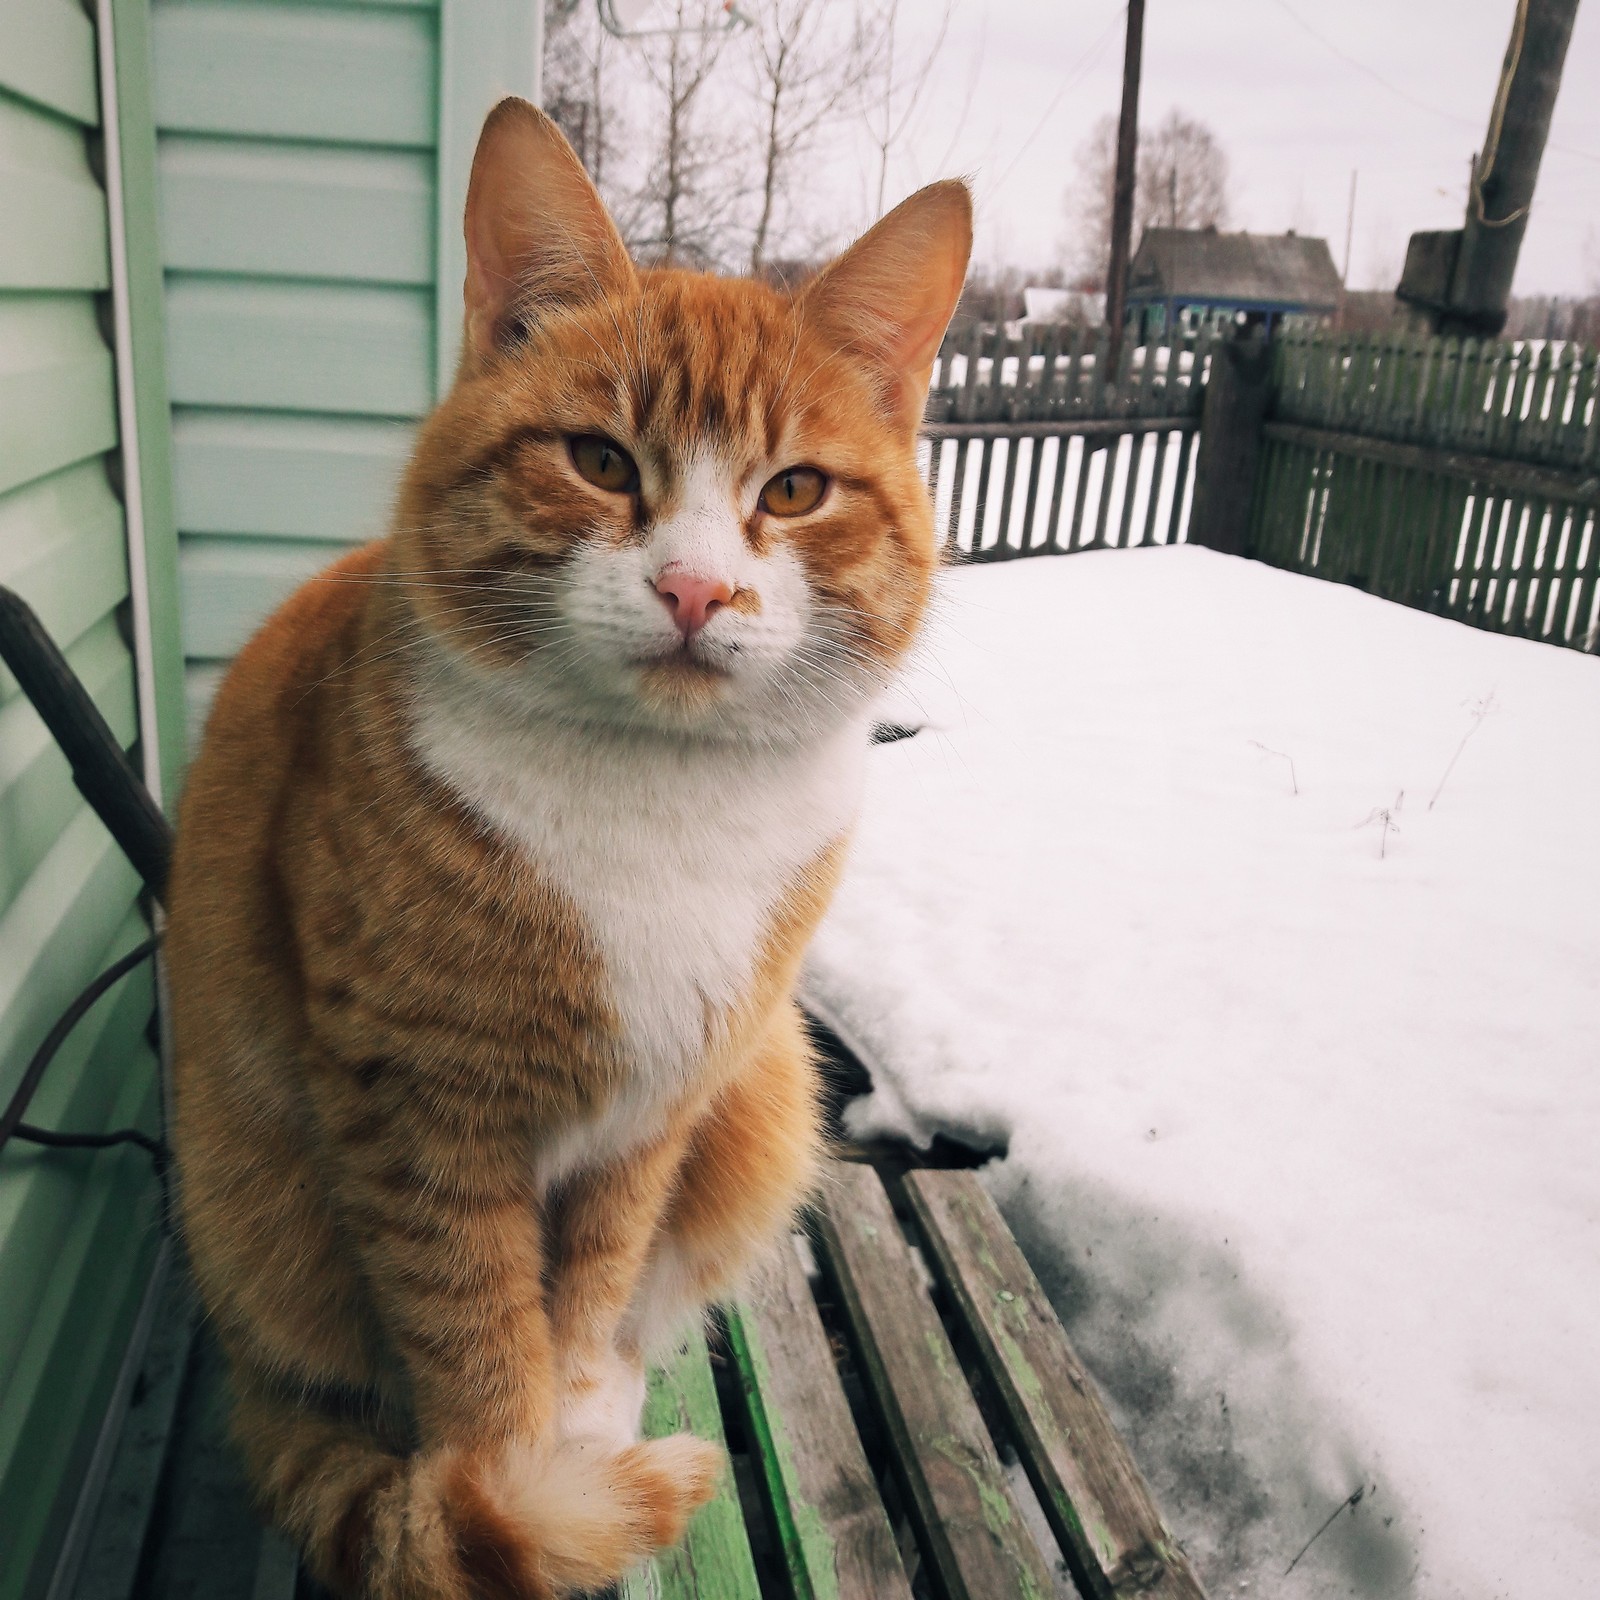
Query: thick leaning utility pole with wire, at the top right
point(1462, 279)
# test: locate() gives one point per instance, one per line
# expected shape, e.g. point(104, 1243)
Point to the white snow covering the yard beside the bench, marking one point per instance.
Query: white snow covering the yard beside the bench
point(1302, 1110)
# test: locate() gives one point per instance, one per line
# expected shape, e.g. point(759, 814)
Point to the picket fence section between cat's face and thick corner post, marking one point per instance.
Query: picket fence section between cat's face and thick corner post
point(1038, 444)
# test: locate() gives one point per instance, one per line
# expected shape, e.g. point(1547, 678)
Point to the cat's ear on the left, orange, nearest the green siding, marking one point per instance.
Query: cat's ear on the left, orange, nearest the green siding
point(538, 233)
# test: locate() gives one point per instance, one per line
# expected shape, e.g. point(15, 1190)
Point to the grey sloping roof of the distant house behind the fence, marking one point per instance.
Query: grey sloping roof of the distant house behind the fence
point(1254, 270)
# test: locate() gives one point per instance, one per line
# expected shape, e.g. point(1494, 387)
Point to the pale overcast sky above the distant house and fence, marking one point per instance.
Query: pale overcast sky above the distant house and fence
point(1300, 94)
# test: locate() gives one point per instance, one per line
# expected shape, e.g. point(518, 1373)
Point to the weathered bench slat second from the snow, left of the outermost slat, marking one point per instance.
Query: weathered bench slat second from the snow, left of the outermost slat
point(969, 1526)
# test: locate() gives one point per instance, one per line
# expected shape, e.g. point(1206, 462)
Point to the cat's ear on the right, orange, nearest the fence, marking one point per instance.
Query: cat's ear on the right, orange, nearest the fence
point(892, 295)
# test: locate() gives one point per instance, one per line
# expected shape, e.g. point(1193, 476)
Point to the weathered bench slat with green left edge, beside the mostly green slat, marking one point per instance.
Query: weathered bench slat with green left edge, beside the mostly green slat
point(834, 1532)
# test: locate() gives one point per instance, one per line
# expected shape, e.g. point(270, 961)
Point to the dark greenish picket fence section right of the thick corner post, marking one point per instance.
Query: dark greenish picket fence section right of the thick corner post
point(1462, 478)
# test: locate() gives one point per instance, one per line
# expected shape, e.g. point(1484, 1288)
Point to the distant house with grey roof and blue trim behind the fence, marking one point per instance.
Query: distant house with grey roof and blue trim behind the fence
point(1191, 276)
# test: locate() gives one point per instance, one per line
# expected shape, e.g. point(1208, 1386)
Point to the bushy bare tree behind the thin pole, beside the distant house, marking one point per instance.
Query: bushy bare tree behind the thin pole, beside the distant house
point(1182, 183)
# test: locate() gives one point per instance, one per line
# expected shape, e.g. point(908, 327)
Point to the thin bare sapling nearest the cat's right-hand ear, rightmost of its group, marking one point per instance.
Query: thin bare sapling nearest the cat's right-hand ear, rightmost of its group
point(807, 74)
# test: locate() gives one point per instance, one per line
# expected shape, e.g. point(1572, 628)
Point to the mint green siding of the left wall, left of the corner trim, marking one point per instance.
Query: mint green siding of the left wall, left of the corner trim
point(78, 1230)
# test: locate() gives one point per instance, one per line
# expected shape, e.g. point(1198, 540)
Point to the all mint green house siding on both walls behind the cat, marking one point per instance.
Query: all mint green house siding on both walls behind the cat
point(292, 178)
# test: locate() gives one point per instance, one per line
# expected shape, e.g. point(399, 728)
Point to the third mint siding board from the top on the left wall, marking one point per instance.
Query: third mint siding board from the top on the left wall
point(57, 398)
